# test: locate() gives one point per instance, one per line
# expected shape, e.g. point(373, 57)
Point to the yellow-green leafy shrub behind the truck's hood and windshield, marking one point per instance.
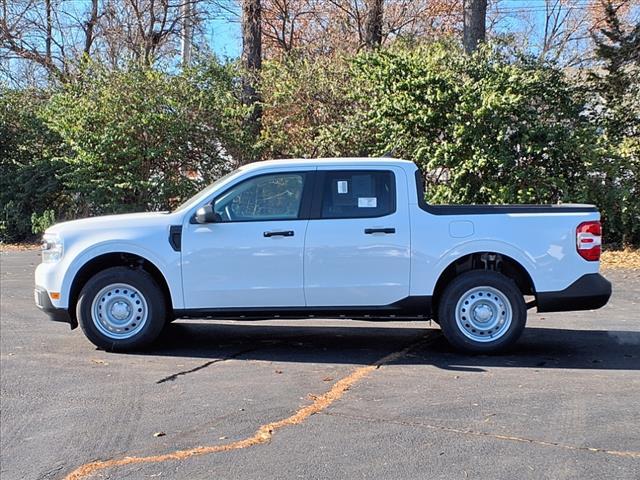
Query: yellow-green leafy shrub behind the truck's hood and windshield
point(142, 139)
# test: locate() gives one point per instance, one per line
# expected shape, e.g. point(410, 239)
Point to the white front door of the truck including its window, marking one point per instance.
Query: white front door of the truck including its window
point(252, 256)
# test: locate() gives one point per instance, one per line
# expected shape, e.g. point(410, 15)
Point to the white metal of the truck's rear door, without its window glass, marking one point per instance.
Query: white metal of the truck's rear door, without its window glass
point(344, 266)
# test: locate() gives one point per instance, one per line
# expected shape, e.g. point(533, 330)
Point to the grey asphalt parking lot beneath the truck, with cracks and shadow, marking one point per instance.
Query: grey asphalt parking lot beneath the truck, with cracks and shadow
point(320, 399)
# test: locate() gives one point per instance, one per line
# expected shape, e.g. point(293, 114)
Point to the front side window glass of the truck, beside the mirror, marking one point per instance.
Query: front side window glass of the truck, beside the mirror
point(265, 197)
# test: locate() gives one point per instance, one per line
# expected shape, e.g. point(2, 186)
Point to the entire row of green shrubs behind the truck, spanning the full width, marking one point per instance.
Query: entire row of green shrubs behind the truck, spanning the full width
point(486, 128)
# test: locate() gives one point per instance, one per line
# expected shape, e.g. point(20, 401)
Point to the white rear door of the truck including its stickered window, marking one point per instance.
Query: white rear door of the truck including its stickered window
point(357, 247)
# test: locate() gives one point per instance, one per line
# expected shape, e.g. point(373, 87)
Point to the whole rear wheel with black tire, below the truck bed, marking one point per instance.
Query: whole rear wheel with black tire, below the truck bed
point(459, 335)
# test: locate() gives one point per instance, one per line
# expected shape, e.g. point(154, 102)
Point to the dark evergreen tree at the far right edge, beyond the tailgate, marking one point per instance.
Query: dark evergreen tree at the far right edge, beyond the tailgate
point(614, 108)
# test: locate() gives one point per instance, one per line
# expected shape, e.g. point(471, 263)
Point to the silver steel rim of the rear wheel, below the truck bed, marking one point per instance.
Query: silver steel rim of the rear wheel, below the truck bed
point(484, 314)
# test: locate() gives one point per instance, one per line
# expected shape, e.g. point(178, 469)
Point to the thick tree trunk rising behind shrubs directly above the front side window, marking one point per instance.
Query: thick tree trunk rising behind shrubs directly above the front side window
point(252, 60)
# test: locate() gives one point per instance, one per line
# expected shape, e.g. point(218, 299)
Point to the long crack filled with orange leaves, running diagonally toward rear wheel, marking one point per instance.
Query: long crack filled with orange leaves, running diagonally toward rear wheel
point(265, 432)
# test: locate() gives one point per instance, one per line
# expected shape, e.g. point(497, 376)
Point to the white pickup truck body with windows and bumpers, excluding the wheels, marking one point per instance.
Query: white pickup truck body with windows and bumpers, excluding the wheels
point(343, 253)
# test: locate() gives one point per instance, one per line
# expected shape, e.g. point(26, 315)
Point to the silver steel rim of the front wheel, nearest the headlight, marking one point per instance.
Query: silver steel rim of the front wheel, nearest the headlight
point(119, 311)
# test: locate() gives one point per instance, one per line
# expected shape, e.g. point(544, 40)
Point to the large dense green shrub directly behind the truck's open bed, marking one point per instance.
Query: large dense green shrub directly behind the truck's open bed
point(485, 129)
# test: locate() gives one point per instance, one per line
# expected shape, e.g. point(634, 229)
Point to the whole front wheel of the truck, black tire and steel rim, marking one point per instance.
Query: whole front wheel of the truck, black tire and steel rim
point(121, 309)
